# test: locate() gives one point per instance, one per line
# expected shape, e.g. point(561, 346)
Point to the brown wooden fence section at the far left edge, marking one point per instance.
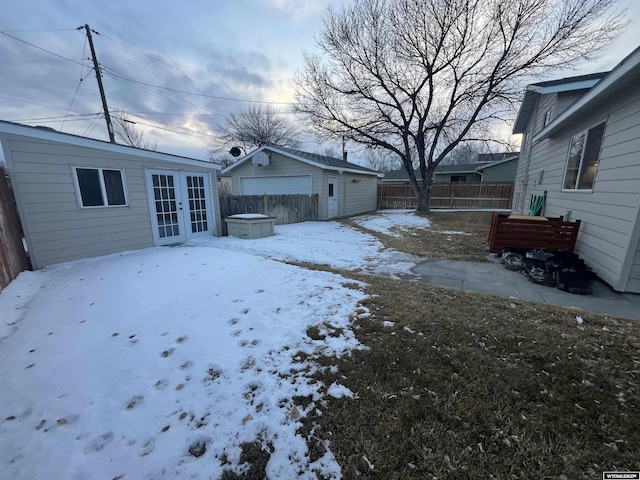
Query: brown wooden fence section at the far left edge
point(13, 259)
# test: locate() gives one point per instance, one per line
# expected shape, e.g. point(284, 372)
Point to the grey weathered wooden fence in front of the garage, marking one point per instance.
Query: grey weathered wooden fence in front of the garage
point(286, 208)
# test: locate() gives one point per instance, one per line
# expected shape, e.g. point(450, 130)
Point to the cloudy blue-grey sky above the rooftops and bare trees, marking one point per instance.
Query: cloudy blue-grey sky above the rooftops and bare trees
point(227, 54)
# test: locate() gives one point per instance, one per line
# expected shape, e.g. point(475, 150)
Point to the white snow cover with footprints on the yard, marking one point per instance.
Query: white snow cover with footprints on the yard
point(162, 362)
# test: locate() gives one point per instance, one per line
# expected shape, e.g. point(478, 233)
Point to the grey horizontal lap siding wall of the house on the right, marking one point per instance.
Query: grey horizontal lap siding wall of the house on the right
point(609, 212)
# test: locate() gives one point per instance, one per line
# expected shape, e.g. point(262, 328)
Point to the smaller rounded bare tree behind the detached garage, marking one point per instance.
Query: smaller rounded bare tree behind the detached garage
point(253, 127)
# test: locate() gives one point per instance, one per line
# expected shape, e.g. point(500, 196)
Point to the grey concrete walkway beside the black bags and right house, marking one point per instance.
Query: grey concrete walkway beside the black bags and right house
point(495, 279)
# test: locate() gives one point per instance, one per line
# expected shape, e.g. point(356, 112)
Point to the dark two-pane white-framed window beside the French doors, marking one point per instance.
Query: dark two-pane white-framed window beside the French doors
point(101, 187)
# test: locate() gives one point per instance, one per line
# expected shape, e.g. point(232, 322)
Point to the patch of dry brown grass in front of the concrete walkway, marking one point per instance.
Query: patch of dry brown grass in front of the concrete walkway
point(467, 385)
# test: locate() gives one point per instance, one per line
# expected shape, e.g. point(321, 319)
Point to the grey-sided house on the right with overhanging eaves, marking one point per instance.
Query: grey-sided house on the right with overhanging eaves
point(581, 145)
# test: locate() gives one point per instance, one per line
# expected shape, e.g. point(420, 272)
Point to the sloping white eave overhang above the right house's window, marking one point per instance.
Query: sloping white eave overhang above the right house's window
point(619, 81)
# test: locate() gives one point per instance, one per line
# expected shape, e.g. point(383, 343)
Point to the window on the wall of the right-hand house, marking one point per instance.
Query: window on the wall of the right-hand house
point(582, 164)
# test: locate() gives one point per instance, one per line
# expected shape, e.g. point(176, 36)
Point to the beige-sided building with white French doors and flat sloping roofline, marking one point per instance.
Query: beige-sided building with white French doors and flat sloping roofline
point(78, 197)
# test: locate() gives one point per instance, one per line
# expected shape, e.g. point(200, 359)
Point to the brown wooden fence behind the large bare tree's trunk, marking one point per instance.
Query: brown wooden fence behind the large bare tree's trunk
point(454, 195)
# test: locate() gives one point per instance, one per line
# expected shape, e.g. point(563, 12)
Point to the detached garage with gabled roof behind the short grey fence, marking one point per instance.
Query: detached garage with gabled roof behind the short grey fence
point(343, 188)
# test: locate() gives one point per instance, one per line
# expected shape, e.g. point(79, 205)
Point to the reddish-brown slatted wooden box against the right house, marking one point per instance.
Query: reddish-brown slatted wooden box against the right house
point(532, 232)
